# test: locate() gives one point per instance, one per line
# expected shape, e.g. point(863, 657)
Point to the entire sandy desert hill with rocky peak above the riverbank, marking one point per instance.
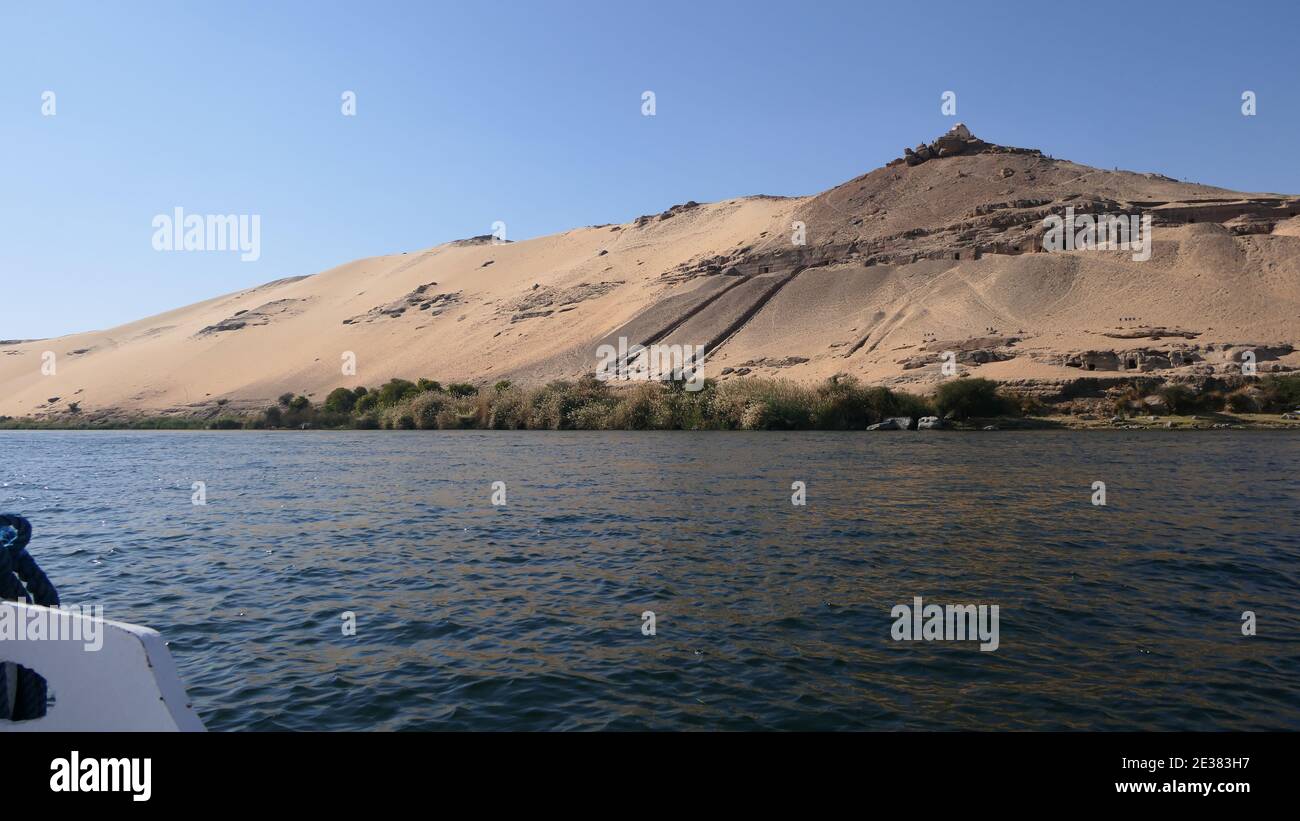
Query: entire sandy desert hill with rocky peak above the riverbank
point(939, 251)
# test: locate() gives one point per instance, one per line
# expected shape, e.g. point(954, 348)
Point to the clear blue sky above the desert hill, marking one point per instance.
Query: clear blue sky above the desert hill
point(530, 112)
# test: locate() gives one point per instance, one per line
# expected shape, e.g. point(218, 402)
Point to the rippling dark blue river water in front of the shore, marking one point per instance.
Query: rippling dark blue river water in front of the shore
point(769, 615)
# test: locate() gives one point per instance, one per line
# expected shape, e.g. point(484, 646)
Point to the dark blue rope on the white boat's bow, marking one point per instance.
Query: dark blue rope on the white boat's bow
point(23, 580)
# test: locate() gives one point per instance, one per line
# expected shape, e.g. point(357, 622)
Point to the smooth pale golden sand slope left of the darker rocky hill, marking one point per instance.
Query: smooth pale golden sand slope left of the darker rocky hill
point(167, 362)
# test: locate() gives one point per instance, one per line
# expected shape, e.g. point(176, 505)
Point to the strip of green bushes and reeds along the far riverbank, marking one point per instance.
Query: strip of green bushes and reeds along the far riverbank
point(840, 403)
